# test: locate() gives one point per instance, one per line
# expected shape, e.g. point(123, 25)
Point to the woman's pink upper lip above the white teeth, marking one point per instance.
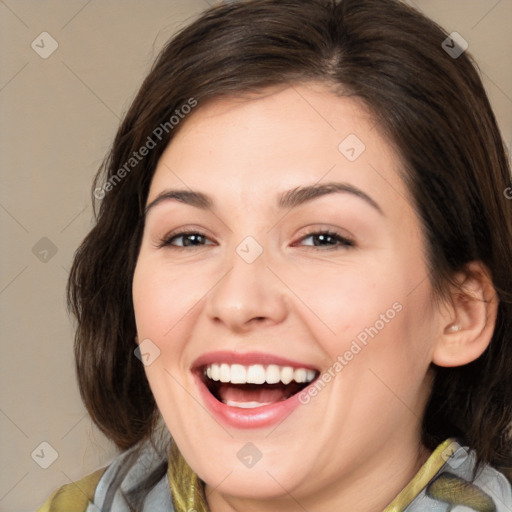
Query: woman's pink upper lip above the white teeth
point(246, 359)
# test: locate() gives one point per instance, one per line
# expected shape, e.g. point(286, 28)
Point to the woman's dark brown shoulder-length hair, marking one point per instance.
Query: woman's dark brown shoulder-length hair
point(430, 106)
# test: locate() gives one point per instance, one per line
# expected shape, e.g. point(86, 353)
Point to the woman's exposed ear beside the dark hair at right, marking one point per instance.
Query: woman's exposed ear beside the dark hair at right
point(468, 323)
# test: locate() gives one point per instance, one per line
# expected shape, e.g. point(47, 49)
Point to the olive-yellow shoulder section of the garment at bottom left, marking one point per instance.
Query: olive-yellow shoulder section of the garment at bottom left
point(73, 497)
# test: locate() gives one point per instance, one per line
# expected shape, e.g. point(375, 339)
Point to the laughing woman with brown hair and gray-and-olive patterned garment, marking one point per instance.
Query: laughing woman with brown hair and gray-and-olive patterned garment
point(300, 271)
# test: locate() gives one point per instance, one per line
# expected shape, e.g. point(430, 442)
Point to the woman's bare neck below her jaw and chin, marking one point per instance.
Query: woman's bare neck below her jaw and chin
point(362, 490)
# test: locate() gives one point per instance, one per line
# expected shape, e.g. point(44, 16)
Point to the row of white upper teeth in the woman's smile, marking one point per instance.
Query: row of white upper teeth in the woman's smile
point(258, 374)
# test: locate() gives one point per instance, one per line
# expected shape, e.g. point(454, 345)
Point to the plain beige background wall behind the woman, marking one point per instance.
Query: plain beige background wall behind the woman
point(58, 117)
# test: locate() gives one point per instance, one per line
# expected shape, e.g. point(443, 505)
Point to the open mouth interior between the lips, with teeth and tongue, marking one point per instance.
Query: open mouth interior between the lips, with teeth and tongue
point(251, 386)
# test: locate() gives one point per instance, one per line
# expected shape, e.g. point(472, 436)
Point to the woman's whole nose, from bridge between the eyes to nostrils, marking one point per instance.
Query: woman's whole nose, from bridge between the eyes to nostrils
point(248, 290)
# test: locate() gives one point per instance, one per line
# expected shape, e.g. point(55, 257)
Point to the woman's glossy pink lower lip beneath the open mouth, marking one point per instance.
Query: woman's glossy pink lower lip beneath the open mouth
point(257, 417)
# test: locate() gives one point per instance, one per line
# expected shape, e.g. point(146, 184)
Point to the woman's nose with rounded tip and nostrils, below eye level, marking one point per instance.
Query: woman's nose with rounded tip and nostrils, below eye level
point(248, 294)
